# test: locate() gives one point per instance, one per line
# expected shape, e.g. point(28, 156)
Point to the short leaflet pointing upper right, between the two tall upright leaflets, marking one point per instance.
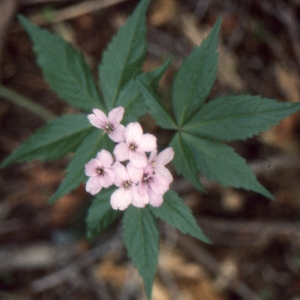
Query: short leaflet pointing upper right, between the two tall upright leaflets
point(131, 96)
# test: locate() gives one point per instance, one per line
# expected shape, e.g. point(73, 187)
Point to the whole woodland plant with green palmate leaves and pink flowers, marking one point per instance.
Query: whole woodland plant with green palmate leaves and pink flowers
point(118, 161)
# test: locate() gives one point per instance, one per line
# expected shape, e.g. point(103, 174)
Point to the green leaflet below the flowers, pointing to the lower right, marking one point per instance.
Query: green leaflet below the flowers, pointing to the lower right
point(177, 214)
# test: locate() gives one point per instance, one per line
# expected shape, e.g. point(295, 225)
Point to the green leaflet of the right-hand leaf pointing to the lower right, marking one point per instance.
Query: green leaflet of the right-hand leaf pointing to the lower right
point(220, 163)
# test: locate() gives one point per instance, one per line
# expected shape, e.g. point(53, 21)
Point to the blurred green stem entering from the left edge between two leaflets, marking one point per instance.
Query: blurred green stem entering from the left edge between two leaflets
point(26, 103)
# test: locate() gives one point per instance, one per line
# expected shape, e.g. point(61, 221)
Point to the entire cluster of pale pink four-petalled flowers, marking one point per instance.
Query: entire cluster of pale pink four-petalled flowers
point(143, 180)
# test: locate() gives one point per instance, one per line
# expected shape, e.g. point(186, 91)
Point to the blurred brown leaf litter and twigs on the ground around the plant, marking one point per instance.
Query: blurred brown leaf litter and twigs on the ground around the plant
point(256, 243)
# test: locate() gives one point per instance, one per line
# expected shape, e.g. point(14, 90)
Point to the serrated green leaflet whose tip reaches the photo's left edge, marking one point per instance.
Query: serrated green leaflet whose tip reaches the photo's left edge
point(59, 137)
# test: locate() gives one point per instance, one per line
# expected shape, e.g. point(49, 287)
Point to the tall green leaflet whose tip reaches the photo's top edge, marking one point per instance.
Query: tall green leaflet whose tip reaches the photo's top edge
point(123, 59)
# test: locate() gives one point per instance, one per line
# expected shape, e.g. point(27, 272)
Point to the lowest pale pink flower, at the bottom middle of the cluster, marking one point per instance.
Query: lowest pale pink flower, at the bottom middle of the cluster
point(126, 194)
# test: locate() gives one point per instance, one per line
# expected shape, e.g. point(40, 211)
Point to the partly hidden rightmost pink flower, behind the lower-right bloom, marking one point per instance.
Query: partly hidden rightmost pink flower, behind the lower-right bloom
point(159, 161)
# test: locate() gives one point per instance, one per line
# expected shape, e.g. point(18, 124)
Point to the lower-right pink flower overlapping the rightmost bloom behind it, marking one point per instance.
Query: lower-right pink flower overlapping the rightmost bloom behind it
point(153, 185)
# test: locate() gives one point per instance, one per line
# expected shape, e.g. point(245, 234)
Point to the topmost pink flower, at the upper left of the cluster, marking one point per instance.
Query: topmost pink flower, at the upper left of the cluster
point(110, 124)
